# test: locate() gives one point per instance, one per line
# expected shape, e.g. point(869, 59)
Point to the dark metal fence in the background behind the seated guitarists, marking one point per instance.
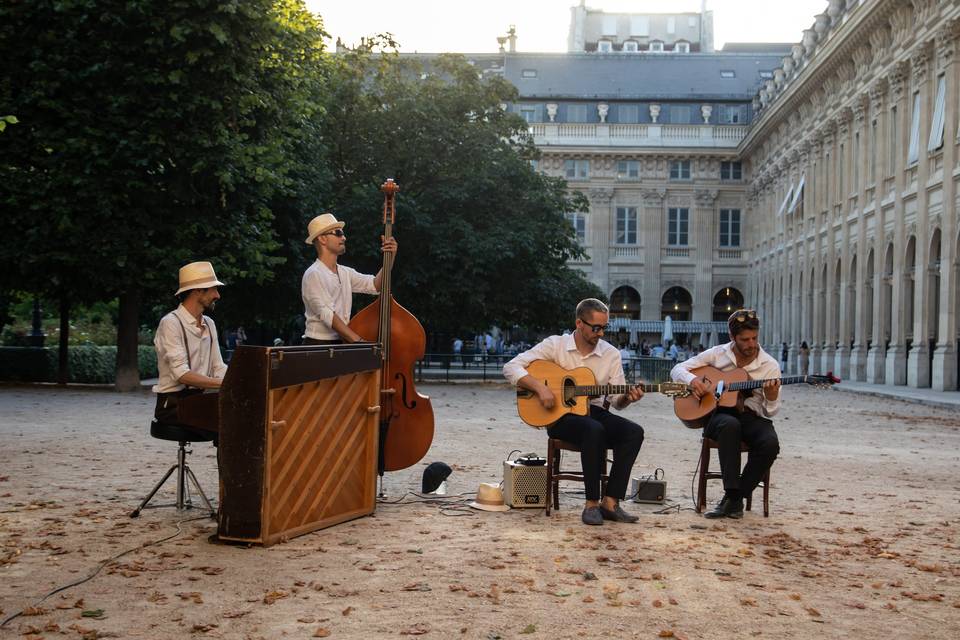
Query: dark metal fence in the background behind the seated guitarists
point(475, 366)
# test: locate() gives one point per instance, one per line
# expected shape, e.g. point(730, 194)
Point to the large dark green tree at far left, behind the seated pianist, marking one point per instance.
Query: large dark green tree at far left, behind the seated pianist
point(151, 134)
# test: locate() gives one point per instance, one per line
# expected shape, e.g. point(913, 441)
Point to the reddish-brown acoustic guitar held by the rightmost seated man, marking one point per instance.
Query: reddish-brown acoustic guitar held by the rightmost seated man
point(695, 412)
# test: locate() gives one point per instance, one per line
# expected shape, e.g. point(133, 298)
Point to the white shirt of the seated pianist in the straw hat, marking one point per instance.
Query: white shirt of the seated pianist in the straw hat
point(172, 354)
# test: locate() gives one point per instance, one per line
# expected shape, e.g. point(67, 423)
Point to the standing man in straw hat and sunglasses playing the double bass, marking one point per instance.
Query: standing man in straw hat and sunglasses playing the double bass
point(327, 287)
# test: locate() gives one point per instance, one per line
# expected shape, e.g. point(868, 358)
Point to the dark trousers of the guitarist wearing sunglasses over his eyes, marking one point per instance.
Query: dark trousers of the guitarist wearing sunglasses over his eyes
point(594, 434)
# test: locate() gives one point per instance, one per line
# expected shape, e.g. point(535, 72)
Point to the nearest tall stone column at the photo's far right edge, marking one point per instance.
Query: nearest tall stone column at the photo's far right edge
point(945, 356)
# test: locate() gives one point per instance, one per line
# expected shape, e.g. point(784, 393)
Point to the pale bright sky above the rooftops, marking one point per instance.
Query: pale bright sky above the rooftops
point(472, 26)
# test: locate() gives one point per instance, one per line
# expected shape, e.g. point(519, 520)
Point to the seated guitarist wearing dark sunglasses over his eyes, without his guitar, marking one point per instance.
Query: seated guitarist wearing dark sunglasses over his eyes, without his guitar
point(600, 430)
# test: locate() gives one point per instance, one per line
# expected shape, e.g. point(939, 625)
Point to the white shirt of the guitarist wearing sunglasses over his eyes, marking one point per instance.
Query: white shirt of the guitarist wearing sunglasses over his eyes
point(604, 361)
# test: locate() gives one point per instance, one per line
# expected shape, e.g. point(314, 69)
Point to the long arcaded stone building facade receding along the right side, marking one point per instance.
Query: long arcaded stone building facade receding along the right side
point(852, 194)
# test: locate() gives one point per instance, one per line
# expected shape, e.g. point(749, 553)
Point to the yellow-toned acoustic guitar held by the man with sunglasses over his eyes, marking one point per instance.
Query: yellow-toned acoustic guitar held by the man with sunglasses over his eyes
point(573, 389)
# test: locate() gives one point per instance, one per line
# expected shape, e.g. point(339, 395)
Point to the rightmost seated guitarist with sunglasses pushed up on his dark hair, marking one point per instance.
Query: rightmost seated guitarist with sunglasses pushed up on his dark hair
point(749, 423)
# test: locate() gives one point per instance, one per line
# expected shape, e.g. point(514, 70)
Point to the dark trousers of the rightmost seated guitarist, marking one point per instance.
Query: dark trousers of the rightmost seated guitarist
point(729, 429)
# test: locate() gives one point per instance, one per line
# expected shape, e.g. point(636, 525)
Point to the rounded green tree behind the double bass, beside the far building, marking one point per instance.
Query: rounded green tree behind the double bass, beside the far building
point(483, 236)
